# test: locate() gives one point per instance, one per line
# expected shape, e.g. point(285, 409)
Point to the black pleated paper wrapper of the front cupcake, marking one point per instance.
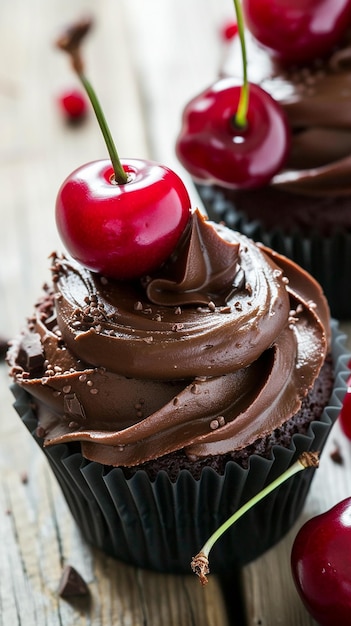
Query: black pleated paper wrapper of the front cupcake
point(161, 524)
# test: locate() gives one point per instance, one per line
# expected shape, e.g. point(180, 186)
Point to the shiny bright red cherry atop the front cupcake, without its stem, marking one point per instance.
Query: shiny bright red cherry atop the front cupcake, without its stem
point(122, 230)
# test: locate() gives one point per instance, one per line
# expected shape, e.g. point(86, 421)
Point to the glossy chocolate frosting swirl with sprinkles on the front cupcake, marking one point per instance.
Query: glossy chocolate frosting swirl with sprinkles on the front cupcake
point(217, 350)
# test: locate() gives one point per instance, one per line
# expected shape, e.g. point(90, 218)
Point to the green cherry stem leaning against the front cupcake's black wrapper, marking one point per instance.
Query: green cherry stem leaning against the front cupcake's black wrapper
point(200, 562)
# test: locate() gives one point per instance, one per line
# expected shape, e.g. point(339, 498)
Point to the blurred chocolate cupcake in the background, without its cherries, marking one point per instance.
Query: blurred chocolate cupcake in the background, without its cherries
point(304, 211)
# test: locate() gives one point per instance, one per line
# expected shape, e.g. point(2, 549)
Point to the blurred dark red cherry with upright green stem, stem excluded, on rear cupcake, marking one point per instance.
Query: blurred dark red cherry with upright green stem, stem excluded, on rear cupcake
point(214, 150)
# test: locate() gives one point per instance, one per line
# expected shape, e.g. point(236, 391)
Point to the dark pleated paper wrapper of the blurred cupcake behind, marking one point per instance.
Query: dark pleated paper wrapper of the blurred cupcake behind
point(328, 259)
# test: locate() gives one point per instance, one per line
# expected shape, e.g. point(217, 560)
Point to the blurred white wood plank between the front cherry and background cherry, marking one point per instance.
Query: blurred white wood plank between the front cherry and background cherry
point(176, 51)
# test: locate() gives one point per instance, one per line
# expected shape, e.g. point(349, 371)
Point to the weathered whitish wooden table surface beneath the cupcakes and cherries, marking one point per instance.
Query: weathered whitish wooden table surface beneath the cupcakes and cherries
point(146, 59)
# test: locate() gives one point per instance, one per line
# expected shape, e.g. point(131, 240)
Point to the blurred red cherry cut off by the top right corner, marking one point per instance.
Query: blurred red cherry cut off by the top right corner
point(297, 30)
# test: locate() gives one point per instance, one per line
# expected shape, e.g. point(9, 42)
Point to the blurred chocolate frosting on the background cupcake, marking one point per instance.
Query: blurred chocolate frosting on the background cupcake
point(317, 101)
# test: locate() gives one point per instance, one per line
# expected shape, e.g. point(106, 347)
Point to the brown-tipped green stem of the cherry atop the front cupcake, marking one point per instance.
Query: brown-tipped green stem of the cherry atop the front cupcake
point(70, 42)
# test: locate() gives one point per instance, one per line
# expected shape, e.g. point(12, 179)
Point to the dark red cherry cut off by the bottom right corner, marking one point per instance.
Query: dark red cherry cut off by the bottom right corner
point(321, 565)
